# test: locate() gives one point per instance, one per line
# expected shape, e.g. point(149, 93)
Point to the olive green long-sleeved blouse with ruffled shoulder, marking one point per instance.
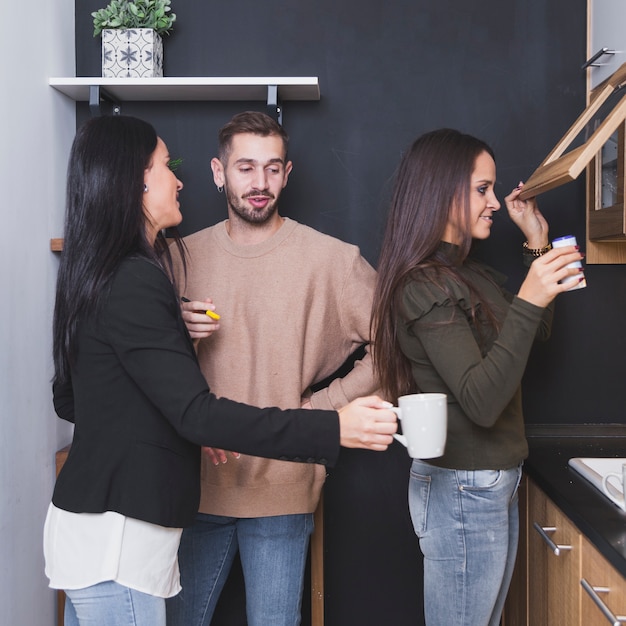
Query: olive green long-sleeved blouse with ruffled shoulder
point(479, 368)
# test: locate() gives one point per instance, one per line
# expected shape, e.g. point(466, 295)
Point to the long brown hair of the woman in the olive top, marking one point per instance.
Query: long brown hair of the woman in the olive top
point(432, 182)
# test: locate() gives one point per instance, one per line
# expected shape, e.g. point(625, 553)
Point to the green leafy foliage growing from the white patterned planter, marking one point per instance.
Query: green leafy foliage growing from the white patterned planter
point(124, 14)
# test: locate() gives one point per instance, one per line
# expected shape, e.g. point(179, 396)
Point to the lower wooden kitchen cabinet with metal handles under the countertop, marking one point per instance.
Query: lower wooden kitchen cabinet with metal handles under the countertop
point(554, 558)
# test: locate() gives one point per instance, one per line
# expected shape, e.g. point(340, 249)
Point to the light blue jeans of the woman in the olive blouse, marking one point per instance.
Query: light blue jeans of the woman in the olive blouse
point(467, 523)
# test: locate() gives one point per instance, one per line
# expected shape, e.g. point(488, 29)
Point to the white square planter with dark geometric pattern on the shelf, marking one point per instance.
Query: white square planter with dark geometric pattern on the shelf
point(132, 53)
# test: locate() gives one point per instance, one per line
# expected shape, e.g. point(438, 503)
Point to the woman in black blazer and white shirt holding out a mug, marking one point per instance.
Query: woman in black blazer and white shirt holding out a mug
point(127, 376)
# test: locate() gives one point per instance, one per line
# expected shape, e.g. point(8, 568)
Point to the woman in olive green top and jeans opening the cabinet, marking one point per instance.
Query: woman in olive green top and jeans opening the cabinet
point(443, 322)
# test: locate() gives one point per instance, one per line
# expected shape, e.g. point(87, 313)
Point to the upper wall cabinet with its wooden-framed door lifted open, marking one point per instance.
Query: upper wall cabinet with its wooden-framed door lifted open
point(596, 141)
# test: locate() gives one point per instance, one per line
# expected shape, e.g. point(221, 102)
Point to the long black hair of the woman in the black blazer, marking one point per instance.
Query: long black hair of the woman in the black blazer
point(104, 222)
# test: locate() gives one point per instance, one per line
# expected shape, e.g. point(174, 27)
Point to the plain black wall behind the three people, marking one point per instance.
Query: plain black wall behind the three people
point(508, 72)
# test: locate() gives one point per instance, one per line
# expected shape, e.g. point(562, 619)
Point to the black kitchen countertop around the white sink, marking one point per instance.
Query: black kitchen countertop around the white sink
point(551, 447)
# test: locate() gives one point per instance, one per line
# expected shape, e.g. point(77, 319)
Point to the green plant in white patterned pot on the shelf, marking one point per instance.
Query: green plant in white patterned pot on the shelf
point(131, 36)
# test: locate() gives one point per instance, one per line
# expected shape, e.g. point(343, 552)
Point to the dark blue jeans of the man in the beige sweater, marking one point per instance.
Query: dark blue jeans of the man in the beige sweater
point(273, 552)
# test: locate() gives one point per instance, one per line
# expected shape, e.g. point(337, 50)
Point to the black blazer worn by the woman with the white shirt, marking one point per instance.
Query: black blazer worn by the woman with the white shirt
point(142, 409)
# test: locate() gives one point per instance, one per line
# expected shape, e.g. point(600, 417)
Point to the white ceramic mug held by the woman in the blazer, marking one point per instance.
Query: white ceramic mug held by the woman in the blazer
point(424, 418)
